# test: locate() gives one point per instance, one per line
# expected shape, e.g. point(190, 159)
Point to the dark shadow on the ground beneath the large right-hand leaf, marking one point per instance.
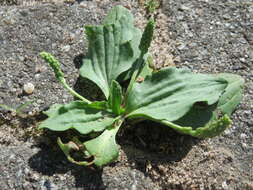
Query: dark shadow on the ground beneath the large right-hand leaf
point(151, 143)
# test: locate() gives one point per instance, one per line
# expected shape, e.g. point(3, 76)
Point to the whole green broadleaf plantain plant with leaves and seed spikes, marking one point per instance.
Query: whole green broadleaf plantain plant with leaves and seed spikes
point(195, 104)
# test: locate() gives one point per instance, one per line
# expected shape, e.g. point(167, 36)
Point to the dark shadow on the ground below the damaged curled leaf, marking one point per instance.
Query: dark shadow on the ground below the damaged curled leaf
point(50, 160)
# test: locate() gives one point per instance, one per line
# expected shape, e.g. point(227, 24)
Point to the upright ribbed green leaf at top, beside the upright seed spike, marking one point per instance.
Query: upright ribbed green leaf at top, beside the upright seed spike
point(113, 48)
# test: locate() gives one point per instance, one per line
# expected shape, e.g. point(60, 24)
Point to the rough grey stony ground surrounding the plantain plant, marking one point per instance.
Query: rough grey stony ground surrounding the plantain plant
point(204, 35)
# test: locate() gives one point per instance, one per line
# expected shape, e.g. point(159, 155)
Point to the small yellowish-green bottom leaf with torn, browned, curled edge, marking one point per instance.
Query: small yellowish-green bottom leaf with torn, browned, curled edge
point(99, 151)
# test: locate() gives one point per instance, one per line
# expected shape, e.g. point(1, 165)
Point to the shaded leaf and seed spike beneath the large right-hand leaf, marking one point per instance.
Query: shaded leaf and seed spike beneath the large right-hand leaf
point(210, 121)
